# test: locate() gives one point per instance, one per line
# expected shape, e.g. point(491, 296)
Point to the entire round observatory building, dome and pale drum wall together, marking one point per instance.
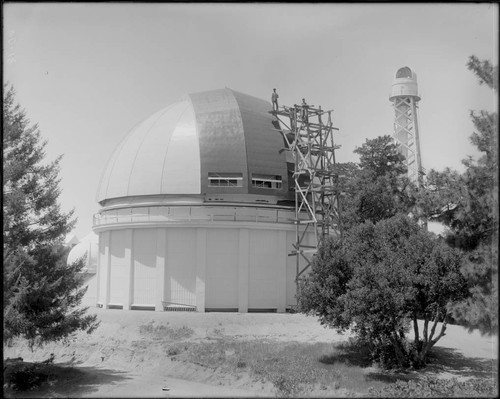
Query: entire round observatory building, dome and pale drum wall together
point(196, 211)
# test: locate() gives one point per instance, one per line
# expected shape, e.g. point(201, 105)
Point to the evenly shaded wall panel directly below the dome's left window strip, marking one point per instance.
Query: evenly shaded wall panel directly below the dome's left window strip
point(222, 269)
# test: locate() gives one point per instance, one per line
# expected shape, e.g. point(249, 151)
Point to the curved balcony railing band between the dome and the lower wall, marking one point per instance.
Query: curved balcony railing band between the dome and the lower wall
point(193, 214)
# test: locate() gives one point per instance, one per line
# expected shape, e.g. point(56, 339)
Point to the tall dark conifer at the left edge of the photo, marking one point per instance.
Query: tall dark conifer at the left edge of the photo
point(41, 292)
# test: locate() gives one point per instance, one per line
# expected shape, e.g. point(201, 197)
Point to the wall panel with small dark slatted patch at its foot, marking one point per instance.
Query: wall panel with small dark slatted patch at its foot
point(180, 276)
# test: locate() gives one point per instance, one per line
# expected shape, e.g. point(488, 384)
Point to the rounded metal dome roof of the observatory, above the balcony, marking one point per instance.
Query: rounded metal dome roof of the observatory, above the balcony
point(218, 145)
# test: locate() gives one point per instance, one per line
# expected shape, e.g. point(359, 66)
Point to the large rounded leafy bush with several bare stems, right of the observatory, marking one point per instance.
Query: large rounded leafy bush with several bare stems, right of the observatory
point(378, 281)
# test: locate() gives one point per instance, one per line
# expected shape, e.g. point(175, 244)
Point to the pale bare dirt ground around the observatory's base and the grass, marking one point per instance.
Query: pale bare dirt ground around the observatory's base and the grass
point(118, 360)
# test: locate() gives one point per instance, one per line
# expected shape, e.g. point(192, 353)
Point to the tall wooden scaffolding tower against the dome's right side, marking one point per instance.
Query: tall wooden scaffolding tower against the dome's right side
point(308, 133)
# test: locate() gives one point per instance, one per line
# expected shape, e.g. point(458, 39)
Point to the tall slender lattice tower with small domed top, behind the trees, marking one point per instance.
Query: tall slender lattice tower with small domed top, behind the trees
point(404, 97)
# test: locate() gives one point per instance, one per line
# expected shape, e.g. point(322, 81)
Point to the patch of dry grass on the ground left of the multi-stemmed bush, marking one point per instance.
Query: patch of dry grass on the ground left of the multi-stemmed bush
point(294, 369)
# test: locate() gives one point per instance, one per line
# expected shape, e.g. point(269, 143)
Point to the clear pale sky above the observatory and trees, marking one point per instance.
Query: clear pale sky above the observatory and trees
point(87, 73)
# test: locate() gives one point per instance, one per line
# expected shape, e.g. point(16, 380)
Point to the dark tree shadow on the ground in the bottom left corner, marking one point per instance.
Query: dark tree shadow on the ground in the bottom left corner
point(67, 380)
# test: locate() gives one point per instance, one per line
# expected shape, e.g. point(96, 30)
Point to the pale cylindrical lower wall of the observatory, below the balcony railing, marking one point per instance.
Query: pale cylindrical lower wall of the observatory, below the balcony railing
point(210, 268)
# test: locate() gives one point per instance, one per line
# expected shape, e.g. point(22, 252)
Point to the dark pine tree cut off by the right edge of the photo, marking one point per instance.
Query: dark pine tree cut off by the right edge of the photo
point(467, 203)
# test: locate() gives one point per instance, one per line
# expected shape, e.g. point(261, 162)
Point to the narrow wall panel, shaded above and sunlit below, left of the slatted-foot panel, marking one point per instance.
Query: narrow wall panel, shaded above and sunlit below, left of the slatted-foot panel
point(144, 253)
